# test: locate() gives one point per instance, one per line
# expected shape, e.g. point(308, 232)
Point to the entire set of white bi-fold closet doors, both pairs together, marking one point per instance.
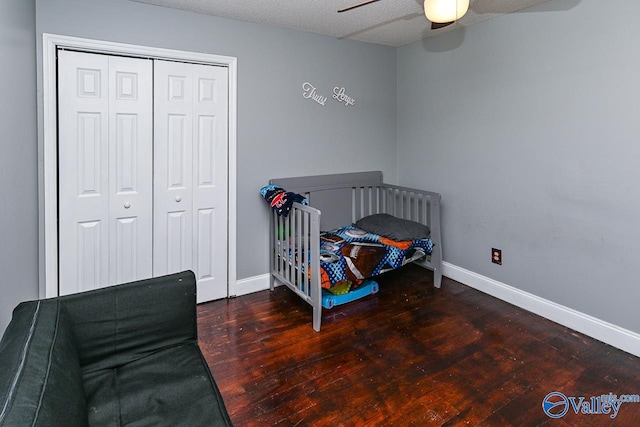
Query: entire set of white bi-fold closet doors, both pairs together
point(142, 161)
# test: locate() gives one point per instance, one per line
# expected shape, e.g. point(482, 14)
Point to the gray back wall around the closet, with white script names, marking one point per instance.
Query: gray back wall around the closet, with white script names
point(279, 132)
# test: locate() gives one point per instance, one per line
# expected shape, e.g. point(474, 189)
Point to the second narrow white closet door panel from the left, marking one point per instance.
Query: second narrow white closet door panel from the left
point(131, 169)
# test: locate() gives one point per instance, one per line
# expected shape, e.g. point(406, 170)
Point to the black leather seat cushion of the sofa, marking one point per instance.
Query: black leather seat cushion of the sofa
point(171, 387)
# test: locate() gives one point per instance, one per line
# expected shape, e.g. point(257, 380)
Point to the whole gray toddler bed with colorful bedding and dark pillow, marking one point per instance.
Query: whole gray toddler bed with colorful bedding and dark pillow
point(387, 227)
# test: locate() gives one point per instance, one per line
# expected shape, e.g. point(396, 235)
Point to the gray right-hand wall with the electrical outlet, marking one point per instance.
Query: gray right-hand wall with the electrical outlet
point(528, 125)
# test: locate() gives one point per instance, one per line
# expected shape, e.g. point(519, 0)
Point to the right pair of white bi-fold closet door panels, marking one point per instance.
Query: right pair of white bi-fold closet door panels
point(190, 173)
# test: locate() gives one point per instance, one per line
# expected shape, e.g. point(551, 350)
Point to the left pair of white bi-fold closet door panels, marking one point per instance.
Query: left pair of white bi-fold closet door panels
point(105, 170)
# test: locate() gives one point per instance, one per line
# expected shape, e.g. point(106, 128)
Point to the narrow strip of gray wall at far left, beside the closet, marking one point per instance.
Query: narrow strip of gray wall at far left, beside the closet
point(18, 157)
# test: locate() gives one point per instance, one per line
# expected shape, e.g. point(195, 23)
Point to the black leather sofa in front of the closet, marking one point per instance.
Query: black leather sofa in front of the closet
point(123, 355)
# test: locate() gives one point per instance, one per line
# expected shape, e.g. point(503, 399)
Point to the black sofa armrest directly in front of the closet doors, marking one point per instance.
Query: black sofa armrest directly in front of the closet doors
point(119, 324)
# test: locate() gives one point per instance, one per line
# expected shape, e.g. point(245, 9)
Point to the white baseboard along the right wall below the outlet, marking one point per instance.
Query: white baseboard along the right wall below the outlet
point(599, 329)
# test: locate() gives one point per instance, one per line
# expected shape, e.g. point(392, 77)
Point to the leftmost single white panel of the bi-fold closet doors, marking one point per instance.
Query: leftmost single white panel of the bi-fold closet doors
point(83, 163)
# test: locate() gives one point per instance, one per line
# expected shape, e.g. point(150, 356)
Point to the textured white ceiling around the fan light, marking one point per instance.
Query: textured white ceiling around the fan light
point(386, 22)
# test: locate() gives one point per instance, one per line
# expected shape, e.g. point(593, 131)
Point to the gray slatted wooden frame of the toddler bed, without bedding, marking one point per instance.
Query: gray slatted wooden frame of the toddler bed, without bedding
point(335, 201)
